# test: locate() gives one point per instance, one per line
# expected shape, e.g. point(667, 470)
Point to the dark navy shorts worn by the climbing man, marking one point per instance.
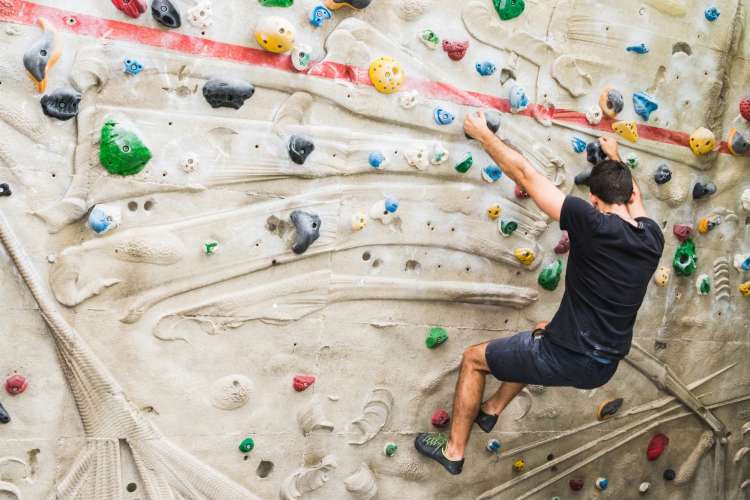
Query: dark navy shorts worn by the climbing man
point(527, 359)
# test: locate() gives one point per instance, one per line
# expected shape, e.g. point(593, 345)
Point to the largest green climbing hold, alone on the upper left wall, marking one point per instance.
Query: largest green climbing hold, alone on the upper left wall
point(121, 151)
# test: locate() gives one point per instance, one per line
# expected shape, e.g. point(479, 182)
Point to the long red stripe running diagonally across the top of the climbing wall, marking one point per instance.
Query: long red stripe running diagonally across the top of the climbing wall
point(24, 12)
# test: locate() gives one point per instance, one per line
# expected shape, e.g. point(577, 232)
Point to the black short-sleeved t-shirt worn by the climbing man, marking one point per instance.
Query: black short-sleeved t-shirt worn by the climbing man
point(609, 268)
